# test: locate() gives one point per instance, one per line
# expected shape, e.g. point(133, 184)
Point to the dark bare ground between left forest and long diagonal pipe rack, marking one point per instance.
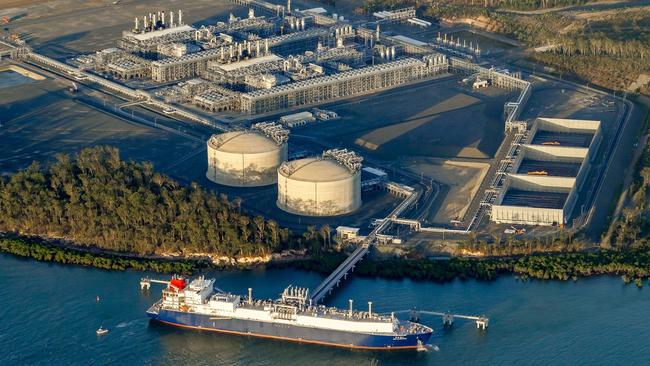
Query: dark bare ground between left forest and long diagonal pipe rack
point(40, 119)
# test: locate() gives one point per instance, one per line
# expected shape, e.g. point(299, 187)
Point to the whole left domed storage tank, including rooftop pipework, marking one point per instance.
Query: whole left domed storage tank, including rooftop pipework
point(247, 158)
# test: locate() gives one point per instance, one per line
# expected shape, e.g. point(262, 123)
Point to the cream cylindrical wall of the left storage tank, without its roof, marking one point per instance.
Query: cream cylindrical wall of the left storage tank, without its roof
point(245, 169)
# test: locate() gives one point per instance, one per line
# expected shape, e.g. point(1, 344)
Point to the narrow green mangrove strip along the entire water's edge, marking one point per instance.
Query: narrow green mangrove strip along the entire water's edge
point(632, 265)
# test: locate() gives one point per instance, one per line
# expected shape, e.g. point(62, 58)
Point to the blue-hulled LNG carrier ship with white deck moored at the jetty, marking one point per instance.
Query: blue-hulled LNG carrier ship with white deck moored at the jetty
point(200, 305)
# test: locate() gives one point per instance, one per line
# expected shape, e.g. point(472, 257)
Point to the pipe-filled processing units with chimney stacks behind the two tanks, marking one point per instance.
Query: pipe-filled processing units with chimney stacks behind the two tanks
point(261, 63)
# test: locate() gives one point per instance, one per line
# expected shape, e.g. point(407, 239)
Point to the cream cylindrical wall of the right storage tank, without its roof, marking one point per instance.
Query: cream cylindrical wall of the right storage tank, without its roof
point(311, 198)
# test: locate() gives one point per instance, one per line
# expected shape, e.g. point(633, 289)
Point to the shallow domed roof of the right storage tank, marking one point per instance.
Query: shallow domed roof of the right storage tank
point(315, 169)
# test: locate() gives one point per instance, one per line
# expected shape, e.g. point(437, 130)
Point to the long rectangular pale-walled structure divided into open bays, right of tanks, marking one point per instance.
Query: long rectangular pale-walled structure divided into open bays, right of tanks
point(548, 171)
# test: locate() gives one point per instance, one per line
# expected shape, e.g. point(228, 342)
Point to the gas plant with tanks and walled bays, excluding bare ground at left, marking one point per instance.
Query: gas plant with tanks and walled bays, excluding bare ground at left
point(417, 109)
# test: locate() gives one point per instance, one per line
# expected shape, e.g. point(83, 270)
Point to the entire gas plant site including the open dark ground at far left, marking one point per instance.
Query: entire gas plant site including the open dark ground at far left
point(312, 118)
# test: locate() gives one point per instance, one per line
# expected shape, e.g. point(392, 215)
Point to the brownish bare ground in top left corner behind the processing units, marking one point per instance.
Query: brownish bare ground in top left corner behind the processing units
point(65, 28)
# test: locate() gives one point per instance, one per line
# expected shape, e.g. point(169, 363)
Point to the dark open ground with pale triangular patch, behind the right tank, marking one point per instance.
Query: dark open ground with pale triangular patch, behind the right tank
point(438, 119)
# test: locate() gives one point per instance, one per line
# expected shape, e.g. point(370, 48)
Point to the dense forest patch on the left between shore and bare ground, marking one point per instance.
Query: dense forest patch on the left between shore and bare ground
point(97, 199)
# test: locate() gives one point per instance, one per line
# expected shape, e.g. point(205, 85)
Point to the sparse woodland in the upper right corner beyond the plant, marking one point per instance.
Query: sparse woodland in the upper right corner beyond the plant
point(607, 48)
